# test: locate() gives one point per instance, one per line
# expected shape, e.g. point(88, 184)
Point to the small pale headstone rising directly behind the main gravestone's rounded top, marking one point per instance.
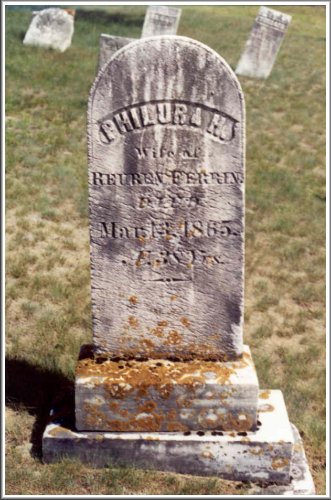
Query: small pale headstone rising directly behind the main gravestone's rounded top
point(160, 20)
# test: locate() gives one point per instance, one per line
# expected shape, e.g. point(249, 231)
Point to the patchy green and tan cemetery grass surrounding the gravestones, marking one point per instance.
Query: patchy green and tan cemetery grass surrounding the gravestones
point(48, 308)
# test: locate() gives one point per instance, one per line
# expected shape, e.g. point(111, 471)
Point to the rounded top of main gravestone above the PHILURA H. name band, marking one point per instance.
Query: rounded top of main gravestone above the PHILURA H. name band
point(160, 66)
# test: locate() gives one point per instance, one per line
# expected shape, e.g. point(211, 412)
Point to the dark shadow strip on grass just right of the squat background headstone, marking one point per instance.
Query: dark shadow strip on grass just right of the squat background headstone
point(128, 18)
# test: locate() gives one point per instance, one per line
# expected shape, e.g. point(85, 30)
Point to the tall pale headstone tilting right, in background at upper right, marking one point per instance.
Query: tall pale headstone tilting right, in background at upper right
point(263, 44)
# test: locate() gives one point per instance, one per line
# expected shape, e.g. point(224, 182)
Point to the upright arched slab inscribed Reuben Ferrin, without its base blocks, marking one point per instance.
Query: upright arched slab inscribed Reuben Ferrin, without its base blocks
point(166, 197)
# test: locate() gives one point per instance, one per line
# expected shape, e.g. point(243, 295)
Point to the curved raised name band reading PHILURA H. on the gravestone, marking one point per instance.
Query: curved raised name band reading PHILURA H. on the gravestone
point(212, 121)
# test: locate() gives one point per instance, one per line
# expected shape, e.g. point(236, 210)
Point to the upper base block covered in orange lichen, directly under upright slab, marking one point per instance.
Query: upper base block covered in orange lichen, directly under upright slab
point(159, 395)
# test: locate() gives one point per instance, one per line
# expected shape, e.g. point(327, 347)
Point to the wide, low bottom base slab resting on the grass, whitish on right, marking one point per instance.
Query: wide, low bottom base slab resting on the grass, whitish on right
point(273, 454)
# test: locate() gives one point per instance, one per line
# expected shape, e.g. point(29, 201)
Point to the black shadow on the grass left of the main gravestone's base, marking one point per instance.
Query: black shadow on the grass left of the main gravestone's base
point(38, 390)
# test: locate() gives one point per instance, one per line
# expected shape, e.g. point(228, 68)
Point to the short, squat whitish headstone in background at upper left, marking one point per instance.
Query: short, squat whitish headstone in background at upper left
point(51, 28)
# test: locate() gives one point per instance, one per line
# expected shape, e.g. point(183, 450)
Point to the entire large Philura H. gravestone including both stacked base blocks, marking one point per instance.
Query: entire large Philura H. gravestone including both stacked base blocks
point(168, 383)
